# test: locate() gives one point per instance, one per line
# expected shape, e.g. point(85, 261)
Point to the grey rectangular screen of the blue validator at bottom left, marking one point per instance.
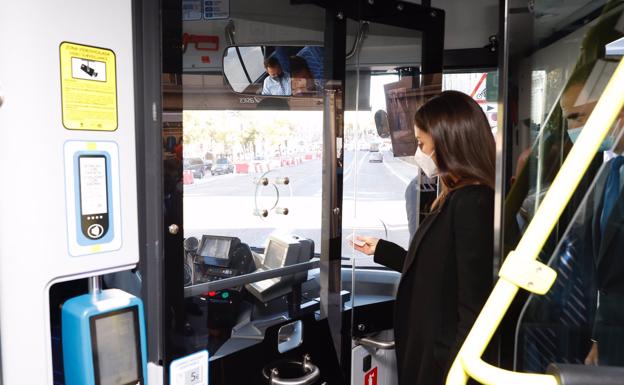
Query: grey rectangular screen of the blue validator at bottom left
point(116, 349)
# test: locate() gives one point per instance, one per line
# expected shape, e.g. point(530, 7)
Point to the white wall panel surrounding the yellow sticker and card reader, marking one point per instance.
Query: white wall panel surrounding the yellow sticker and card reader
point(33, 228)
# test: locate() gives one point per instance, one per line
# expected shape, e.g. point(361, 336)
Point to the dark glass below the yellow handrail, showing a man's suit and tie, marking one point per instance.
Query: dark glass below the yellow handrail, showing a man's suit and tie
point(580, 320)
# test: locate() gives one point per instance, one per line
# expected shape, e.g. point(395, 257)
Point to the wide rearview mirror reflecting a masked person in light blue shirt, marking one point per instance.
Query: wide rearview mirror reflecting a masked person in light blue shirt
point(275, 70)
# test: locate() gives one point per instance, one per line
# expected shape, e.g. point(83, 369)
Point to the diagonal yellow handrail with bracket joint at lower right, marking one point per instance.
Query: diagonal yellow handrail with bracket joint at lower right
point(535, 277)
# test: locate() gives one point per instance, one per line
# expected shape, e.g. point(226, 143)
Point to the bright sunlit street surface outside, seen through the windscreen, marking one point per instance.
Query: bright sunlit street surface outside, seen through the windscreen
point(373, 205)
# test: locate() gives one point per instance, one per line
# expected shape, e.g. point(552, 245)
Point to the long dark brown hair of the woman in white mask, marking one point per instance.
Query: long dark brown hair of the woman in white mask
point(465, 151)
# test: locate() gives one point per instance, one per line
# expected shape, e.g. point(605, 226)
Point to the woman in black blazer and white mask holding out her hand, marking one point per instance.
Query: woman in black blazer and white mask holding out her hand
point(447, 271)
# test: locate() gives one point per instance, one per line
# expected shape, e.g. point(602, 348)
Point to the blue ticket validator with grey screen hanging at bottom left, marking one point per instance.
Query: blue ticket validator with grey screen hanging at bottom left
point(104, 338)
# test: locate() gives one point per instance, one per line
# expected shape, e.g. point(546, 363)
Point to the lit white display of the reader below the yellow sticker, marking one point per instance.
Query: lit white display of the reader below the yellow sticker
point(93, 185)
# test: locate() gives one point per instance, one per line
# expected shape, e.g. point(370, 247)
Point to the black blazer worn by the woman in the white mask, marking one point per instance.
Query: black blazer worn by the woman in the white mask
point(446, 277)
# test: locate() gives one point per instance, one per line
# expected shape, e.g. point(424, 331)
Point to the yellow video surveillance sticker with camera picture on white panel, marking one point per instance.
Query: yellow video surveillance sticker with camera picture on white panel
point(88, 87)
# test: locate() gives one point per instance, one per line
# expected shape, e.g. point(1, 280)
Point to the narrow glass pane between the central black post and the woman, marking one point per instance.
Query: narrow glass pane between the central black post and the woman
point(382, 80)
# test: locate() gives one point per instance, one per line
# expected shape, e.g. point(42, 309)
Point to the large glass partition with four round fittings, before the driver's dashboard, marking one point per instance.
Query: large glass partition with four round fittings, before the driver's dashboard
point(243, 177)
